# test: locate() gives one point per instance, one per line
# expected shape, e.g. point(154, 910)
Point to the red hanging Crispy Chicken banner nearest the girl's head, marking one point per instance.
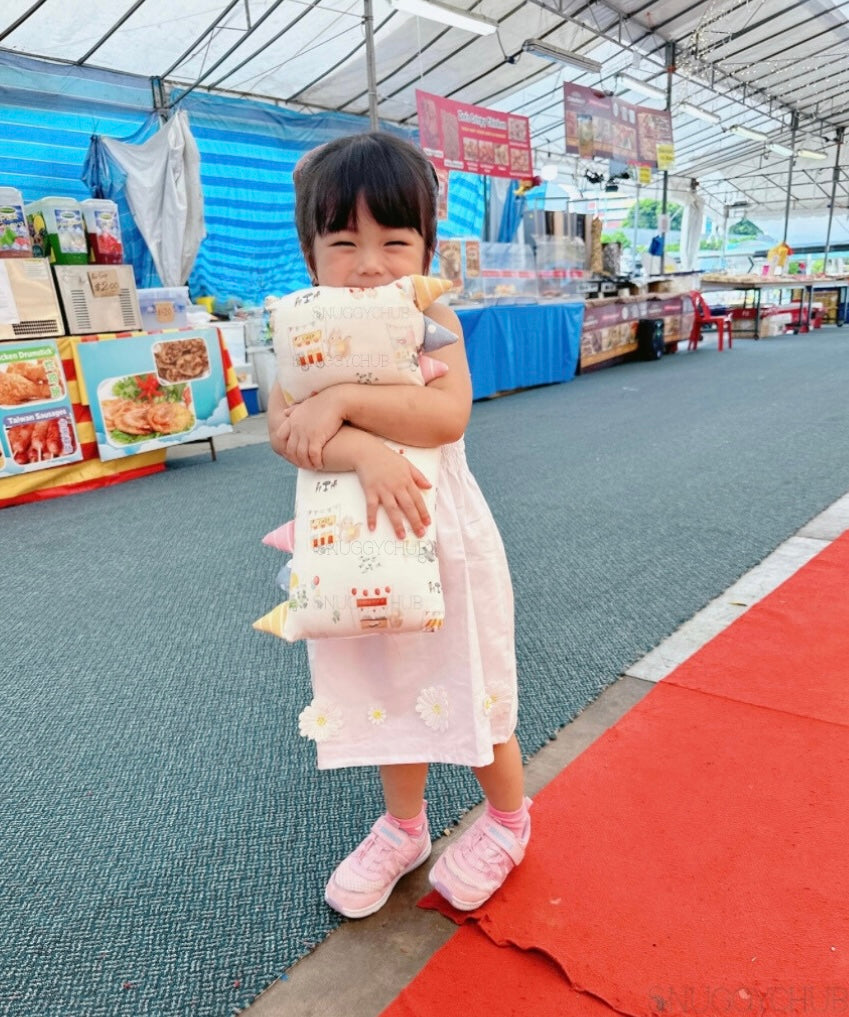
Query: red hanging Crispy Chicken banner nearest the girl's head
point(473, 139)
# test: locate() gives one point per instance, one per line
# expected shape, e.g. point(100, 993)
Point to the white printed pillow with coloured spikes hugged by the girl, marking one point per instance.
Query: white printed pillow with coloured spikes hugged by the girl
point(344, 581)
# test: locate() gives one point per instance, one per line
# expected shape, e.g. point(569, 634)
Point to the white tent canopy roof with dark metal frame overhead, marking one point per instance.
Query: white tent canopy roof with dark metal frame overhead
point(762, 67)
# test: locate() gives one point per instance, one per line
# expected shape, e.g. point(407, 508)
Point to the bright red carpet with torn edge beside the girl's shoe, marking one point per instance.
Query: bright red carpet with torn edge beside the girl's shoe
point(694, 861)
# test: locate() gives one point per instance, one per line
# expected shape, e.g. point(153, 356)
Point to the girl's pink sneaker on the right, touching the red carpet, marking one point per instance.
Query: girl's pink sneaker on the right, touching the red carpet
point(470, 871)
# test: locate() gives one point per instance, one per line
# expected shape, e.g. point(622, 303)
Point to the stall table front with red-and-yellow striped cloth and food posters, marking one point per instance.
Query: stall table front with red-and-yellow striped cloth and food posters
point(62, 441)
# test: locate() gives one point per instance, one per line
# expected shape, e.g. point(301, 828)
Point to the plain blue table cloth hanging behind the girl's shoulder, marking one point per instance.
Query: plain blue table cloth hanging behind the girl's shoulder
point(517, 346)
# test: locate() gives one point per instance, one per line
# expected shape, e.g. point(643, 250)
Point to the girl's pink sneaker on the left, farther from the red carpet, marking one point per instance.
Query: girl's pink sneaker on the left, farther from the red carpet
point(362, 883)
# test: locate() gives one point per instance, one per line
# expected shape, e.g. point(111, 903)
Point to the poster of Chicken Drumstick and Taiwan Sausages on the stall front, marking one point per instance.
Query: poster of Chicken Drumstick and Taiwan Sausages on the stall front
point(37, 424)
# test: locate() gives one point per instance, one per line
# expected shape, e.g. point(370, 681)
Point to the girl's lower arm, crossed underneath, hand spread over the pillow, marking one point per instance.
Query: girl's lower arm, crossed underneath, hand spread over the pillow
point(387, 478)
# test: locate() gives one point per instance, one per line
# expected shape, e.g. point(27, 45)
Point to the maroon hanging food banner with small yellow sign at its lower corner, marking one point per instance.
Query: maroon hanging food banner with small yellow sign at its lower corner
point(601, 127)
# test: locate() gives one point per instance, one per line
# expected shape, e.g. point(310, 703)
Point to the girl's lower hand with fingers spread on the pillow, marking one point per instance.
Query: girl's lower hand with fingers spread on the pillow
point(392, 482)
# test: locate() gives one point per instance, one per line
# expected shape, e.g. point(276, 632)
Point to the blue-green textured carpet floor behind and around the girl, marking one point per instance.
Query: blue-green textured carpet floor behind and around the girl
point(166, 837)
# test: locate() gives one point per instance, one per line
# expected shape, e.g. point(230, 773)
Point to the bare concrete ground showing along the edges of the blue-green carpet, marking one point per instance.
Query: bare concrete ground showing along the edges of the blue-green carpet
point(395, 944)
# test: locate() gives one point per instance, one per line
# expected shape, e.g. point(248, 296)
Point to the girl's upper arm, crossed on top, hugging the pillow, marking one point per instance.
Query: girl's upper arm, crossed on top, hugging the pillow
point(427, 416)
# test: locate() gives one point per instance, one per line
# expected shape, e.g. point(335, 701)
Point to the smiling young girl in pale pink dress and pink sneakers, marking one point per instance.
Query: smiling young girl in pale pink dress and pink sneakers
point(367, 215)
